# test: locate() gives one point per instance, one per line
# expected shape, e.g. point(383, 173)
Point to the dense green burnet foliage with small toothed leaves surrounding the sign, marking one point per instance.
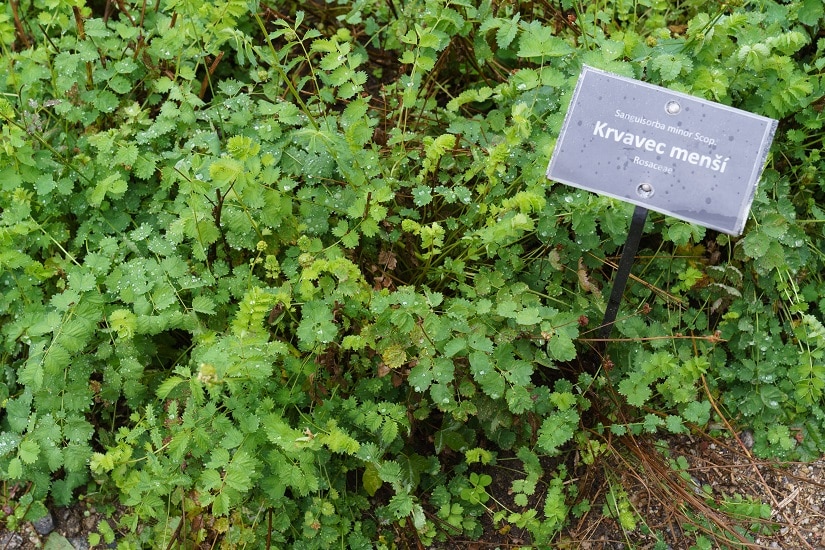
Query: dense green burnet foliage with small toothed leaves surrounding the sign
point(289, 274)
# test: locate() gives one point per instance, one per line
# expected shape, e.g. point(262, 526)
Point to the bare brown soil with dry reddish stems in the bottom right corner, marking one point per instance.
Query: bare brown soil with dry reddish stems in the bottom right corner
point(719, 471)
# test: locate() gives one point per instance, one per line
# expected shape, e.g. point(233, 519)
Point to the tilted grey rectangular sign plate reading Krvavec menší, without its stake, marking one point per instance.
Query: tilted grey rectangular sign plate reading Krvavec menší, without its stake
point(680, 155)
